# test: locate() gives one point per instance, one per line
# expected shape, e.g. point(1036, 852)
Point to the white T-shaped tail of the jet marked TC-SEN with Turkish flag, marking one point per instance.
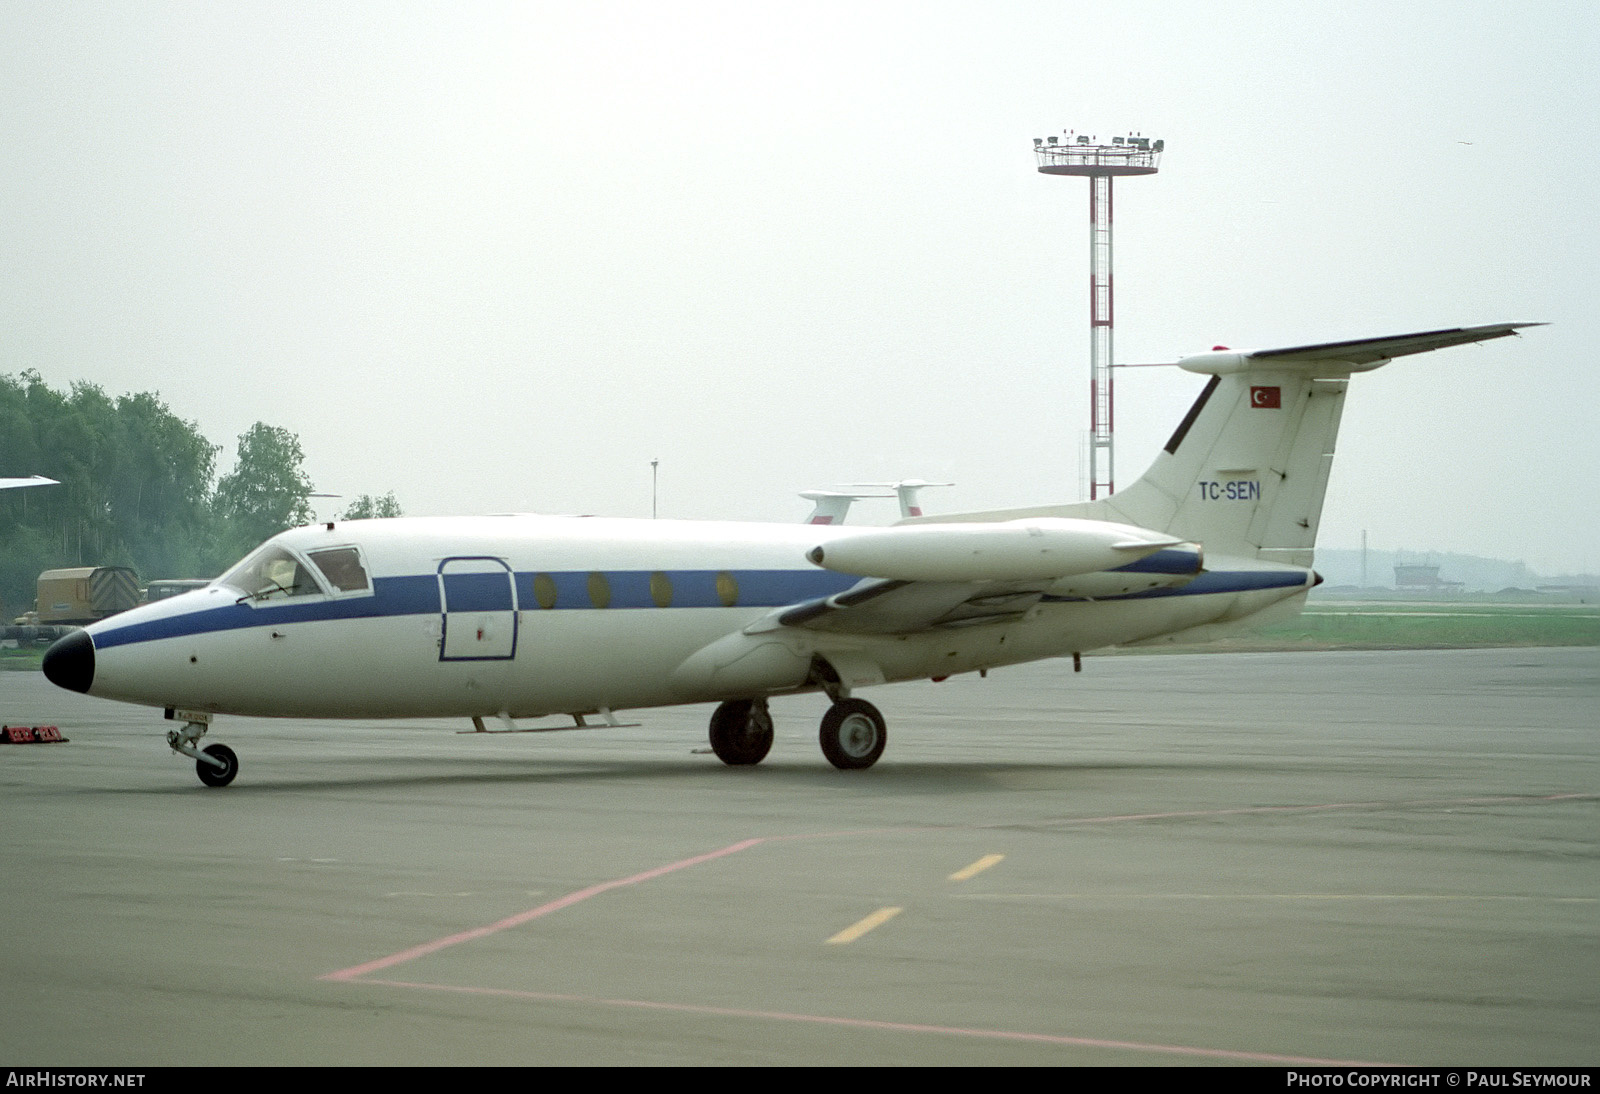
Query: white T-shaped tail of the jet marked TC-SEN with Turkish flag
point(1247, 469)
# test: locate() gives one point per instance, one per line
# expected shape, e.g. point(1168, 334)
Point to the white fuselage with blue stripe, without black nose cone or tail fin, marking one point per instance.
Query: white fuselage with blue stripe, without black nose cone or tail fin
point(561, 615)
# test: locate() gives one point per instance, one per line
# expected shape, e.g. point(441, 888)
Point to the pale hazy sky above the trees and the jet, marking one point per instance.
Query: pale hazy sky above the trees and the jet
point(498, 257)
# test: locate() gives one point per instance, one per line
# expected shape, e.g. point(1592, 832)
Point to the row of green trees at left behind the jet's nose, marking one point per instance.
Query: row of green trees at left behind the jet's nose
point(138, 489)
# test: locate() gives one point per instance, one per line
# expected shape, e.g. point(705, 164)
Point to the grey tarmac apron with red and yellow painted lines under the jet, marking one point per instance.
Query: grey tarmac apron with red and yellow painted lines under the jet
point(1385, 858)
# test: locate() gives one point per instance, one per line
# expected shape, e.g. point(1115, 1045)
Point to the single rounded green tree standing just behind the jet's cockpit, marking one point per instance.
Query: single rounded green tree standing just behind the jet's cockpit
point(266, 492)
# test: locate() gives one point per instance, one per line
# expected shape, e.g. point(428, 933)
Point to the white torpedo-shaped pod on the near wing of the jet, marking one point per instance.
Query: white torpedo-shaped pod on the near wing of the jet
point(1038, 549)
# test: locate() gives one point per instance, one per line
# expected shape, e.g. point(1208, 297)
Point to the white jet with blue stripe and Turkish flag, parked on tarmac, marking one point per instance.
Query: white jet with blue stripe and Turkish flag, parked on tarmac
point(530, 617)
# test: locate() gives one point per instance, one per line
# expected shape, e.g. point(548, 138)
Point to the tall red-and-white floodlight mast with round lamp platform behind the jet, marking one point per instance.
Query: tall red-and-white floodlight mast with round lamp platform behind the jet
point(1098, 162)
